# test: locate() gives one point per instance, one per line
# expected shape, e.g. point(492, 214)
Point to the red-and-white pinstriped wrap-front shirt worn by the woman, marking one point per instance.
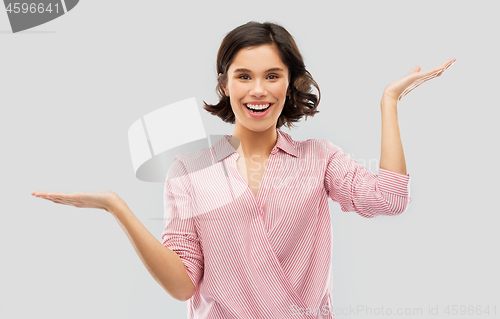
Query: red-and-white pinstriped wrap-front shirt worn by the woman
point(268, 256)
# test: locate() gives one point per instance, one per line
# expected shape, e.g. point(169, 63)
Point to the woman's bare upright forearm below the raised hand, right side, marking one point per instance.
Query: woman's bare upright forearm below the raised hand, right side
point(391, 155)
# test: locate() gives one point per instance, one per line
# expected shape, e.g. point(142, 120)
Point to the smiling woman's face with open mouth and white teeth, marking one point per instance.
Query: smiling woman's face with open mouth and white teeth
point(257, 78)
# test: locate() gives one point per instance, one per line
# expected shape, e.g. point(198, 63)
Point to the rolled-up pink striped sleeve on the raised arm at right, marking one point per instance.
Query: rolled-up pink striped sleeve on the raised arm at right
point(359, 190)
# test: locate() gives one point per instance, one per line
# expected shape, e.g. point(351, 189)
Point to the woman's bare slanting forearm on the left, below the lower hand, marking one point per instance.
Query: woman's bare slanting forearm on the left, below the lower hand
point(164, 265)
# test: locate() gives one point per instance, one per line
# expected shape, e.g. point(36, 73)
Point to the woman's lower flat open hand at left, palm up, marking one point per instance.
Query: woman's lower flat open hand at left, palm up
point(100, 200)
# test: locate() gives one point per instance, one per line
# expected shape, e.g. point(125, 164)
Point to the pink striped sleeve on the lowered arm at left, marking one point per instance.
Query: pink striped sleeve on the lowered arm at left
point(180, 233)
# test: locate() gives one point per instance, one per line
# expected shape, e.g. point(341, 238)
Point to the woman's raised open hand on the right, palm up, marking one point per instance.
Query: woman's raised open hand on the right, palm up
point(403, 86)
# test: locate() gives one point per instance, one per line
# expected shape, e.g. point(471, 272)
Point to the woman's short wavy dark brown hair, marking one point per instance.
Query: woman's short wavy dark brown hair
point(299, 103)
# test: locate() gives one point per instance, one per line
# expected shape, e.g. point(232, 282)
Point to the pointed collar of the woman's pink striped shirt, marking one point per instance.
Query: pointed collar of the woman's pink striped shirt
point(223, 149)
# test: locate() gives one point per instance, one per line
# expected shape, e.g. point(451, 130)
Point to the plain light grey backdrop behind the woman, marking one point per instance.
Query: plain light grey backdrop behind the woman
point(70, 89)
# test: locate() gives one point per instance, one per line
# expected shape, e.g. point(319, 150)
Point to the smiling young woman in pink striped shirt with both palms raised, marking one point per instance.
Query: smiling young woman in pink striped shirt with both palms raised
point(264, 252)
